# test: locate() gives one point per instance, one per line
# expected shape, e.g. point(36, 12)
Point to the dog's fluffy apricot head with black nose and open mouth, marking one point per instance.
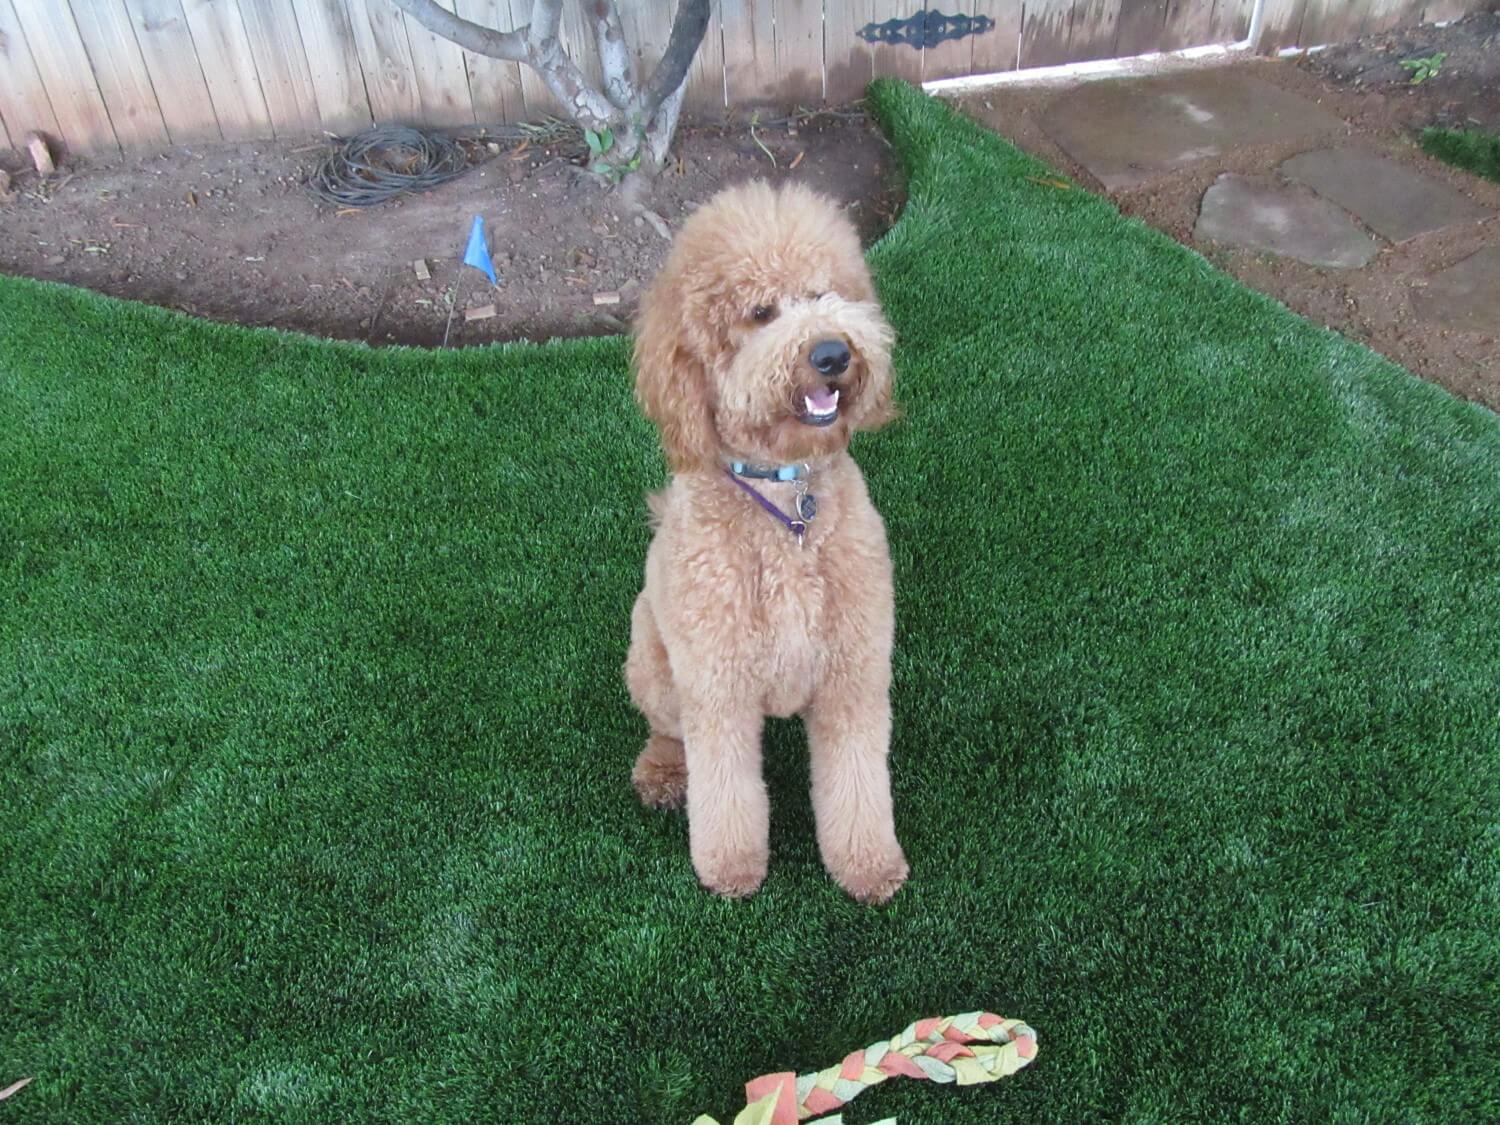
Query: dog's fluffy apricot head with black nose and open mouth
point(761, 340)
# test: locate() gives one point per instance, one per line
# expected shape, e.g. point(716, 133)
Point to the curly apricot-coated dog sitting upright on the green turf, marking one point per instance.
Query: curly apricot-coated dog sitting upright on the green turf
point(760, 352)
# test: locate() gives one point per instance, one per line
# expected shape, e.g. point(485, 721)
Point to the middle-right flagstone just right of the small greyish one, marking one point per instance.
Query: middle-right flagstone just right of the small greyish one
point(1396, 202)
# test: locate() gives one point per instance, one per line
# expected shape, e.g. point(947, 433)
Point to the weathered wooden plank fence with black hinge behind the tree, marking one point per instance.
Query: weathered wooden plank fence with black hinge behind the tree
point(145, 74)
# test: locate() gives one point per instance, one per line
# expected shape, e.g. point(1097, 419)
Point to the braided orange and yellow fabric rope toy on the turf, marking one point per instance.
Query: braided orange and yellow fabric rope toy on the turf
point(967, 1051)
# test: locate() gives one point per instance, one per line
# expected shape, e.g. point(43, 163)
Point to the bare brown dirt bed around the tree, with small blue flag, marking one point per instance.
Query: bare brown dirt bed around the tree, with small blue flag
point(230, 232)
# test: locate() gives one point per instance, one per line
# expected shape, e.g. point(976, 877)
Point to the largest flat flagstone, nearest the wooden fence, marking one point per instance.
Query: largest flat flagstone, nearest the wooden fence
point(1130, 131)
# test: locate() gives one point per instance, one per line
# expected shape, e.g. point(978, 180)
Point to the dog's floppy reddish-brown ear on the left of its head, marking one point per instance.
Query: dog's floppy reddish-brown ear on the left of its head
point(671, 383)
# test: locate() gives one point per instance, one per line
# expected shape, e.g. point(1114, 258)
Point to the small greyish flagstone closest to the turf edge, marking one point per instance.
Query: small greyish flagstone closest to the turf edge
point(1288, 221)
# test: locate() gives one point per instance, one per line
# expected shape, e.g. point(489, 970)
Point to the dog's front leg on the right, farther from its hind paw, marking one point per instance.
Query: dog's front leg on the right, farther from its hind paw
point(848, 739)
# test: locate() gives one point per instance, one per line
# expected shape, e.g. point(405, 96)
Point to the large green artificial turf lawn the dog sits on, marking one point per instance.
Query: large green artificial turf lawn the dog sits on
point(314, 748)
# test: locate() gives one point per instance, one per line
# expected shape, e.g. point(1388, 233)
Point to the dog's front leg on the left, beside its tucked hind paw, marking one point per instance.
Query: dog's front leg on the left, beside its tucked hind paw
point(728, 809)
